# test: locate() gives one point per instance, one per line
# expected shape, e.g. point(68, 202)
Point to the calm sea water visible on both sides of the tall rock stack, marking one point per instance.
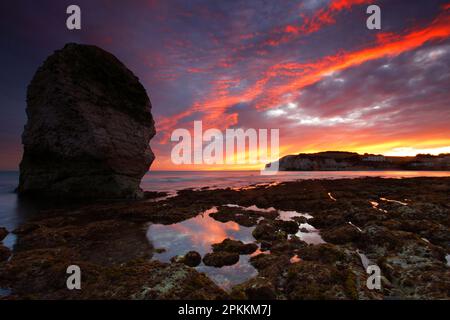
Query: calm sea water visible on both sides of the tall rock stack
point(14, 212)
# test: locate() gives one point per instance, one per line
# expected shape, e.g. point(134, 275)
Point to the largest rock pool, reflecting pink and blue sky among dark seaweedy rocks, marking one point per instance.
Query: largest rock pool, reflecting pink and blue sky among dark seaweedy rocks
point(198, 234)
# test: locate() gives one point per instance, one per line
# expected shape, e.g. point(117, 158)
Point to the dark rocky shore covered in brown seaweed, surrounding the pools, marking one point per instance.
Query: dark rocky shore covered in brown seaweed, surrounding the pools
point(400, 225)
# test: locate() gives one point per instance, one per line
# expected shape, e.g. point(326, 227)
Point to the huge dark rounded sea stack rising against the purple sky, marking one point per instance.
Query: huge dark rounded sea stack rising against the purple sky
point(88, 130)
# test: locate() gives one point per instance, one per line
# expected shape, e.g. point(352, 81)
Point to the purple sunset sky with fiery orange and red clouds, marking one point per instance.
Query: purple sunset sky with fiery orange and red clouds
point(309, 68)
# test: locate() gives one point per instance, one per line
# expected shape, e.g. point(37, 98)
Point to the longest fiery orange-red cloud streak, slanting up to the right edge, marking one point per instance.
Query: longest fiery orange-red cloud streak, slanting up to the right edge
point(301, 75)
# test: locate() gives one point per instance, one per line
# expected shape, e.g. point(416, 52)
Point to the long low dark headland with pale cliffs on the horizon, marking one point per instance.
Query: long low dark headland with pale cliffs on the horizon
point(352, 161)
